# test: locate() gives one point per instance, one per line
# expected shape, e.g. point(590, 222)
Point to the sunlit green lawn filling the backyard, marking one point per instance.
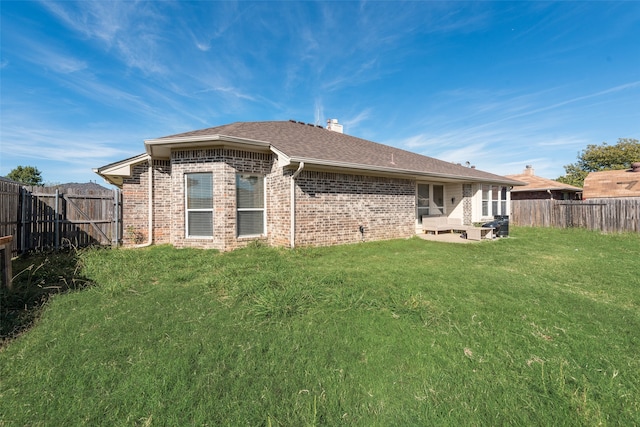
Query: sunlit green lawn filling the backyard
point(542, 328)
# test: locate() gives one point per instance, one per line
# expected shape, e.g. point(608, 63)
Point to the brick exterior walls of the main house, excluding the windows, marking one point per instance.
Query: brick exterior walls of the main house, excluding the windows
point(330, 207)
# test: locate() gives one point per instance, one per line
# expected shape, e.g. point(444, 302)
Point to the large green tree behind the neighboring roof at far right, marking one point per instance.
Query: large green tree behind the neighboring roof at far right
point(603, 157)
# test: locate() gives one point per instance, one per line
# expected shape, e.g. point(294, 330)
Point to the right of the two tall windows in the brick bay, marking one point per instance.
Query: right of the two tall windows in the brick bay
point(250, 204)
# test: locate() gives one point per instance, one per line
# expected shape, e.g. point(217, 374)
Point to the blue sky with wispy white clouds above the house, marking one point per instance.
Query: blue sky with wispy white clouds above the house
point(498, 84)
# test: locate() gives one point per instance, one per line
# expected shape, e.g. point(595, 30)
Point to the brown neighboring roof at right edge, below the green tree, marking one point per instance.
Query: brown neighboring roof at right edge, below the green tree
point(618, 183)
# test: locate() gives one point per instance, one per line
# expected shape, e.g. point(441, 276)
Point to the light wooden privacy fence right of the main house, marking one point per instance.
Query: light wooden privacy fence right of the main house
point(606, 215)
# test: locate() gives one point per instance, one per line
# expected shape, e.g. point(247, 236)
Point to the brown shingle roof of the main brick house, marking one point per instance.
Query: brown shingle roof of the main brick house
point(309, 143)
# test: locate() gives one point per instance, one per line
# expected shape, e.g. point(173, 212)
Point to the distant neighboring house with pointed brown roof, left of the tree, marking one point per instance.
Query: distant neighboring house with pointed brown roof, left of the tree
point(537, 188)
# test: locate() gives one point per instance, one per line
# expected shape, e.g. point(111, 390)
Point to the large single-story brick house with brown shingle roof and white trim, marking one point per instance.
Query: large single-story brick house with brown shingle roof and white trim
point(290, 184)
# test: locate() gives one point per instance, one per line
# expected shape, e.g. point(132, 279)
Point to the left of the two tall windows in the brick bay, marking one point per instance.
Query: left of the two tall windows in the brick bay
point(199, 204)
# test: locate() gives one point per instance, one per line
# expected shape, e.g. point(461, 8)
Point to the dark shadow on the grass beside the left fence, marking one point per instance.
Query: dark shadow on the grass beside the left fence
point(36, 277)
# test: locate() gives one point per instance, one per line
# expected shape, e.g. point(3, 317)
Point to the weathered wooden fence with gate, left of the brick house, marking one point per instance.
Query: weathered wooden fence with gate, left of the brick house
point(51, 218)
